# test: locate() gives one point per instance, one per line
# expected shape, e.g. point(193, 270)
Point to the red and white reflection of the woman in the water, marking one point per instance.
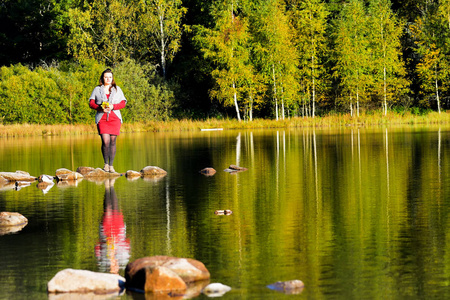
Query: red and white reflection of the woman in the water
point(113, 250)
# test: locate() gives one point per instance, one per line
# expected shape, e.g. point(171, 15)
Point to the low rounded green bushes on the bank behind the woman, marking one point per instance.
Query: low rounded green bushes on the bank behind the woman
point(59, 94)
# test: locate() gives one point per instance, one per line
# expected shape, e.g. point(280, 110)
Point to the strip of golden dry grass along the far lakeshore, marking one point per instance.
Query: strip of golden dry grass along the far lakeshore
point(332, 120)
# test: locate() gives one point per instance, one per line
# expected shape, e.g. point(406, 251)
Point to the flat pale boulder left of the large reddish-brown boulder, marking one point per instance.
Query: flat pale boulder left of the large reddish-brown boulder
point(82, 281)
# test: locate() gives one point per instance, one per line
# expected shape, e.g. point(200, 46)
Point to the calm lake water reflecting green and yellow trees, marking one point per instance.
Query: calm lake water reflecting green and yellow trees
point(354, 213)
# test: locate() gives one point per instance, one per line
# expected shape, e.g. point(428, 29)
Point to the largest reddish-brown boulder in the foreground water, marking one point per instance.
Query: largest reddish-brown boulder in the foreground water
point(164, 274)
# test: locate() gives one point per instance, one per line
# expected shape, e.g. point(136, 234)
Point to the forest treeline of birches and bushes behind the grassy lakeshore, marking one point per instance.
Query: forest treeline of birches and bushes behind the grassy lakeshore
point(224, 58)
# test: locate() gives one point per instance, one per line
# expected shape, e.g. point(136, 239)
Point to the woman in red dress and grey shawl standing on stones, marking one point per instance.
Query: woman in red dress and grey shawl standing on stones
point(107, 98)
